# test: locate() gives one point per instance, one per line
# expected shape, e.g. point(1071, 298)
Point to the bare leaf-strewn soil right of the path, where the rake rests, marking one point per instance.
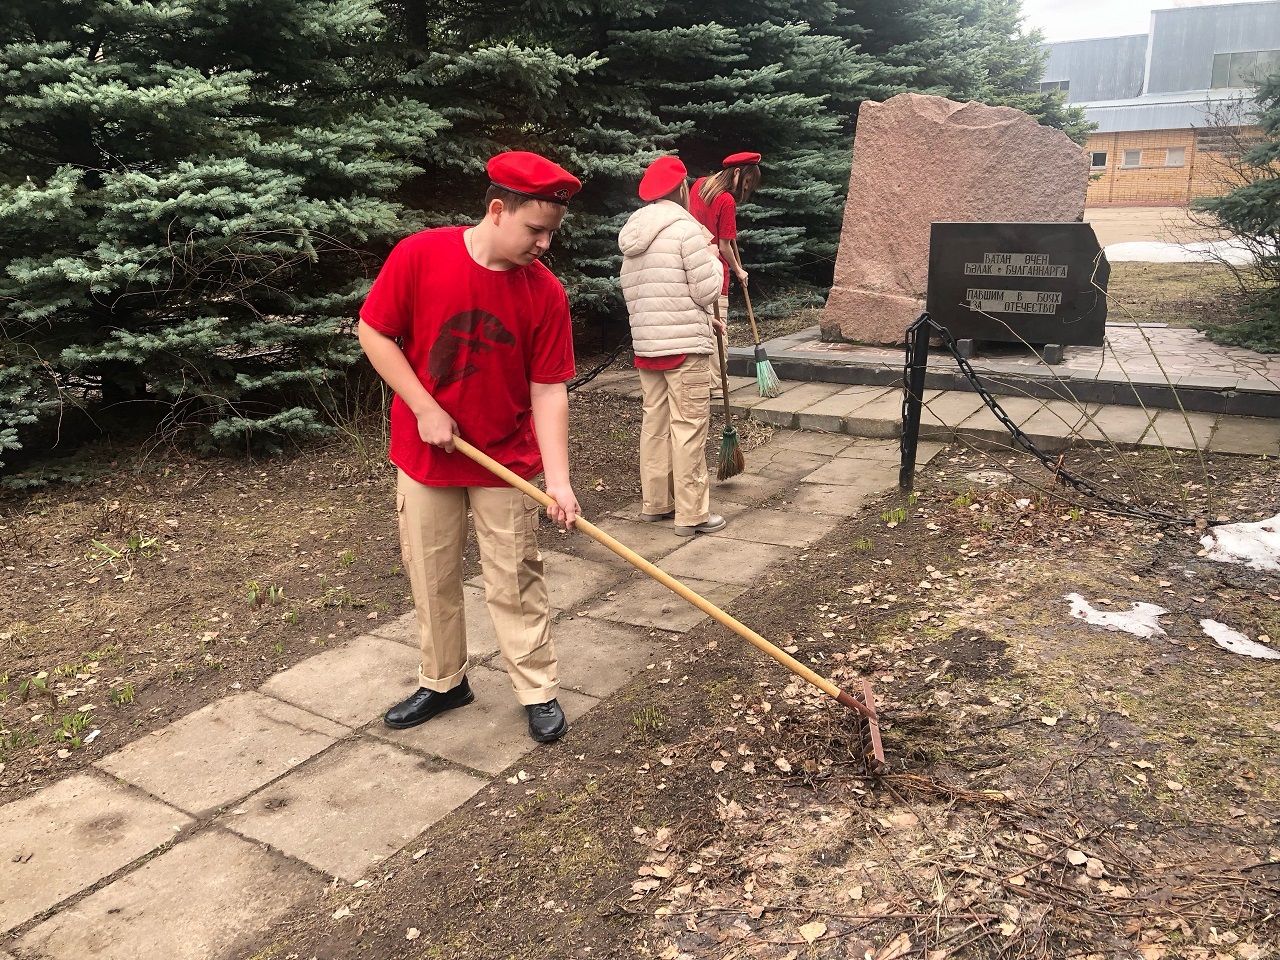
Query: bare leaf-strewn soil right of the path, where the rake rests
point(1055, 790)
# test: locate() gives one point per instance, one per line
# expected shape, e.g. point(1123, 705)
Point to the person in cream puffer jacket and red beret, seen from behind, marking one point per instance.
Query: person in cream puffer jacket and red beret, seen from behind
point(671, 277)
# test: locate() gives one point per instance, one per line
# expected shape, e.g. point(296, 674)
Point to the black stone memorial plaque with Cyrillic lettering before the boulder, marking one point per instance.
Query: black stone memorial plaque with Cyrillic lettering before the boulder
point(1013, 282)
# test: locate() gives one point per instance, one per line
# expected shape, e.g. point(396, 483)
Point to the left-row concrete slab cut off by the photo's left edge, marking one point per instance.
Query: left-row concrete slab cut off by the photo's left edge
point(68, 836)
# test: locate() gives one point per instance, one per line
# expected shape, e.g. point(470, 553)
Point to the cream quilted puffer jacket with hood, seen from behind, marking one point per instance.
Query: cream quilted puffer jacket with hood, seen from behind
point(670, 280)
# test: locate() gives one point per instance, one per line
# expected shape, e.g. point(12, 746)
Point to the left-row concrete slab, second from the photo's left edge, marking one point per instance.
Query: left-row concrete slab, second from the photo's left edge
point(222, 752)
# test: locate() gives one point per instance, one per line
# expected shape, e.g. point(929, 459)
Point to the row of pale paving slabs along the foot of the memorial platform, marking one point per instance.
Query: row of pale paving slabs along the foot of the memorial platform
point(950, 415)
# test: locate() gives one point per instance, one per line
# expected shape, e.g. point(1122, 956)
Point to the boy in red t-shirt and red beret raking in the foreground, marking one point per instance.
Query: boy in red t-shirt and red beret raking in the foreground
point(473, 335)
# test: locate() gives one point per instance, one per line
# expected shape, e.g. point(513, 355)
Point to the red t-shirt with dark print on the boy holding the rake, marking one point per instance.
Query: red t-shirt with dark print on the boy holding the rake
point(476, 339)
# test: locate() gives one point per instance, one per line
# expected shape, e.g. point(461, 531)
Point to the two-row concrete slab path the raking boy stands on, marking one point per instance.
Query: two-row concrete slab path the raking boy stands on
point(191, 842)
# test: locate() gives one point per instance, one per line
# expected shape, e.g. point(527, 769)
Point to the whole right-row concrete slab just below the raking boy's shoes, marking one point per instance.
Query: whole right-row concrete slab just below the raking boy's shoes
point(348, 812)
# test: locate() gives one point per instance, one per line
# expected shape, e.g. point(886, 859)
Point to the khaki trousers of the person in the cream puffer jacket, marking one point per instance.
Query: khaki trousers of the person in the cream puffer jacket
point(678, 409)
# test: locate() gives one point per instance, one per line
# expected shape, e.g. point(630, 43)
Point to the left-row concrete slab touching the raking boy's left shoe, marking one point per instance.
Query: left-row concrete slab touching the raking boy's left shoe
point(351, 685)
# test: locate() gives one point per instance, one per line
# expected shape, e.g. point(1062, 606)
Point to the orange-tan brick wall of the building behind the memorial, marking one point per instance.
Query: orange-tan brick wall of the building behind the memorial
point(1162, 168)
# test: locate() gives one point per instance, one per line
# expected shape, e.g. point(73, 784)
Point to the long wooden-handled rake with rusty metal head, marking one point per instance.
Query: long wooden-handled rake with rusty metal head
point(865, 708)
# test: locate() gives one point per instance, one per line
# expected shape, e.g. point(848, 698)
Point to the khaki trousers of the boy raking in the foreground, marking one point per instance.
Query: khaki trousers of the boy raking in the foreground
point(433, 528)
